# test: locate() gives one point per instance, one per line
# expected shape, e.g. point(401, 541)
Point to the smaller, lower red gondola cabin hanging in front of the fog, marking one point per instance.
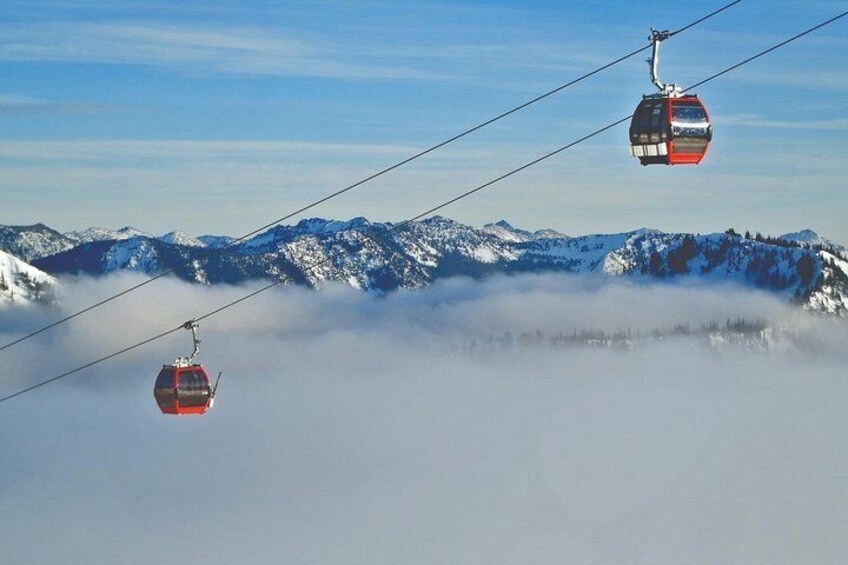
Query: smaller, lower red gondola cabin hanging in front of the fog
point(183, 387)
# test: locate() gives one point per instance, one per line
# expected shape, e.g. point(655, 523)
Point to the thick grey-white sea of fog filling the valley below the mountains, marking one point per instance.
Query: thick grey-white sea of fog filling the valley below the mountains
point(350, 428)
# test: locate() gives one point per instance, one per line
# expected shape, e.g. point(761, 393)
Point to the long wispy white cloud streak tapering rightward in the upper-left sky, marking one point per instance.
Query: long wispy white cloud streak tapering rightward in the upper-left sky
point(242, 50)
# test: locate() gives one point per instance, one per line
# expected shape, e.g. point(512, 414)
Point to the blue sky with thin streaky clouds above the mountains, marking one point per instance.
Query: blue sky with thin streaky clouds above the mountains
point(217, 116)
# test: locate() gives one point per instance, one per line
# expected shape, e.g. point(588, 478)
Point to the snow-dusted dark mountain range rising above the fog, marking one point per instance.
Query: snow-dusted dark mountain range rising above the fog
point(381, 257)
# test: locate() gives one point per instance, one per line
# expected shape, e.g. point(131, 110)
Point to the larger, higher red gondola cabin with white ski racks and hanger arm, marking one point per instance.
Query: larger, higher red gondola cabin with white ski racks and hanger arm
point(669, 127)
